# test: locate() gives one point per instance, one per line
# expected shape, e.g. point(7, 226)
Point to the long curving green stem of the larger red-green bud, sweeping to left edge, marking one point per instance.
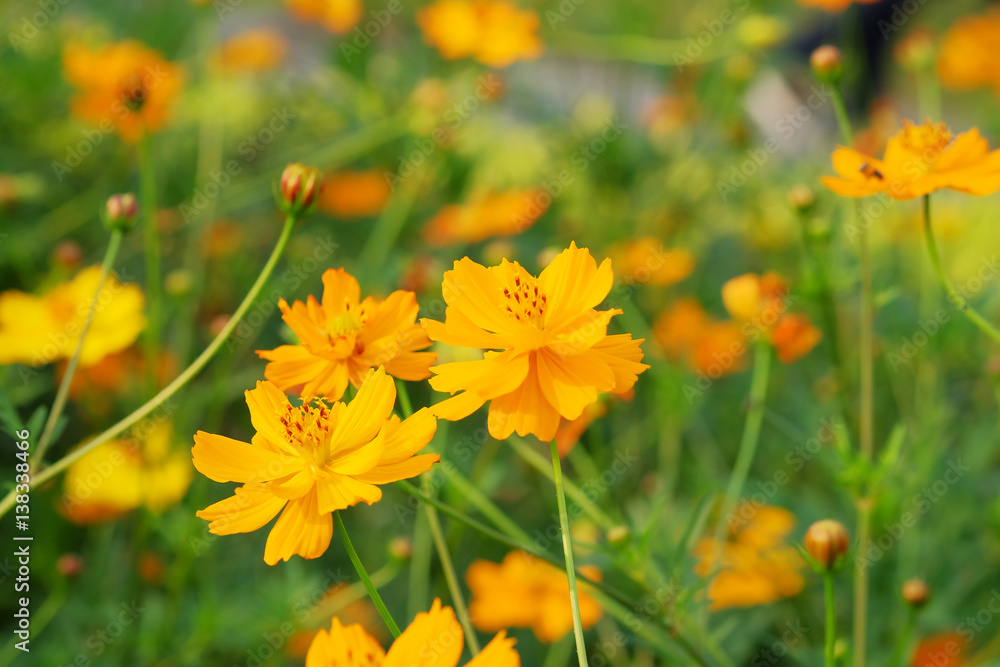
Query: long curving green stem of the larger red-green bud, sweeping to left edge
point(179, 381)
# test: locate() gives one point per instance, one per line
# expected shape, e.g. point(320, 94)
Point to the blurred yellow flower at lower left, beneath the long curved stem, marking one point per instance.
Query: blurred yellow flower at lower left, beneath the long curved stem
point(122, 475)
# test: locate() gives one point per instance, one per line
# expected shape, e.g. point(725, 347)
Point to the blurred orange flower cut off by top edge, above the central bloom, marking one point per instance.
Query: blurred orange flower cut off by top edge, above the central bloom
point(494, 32)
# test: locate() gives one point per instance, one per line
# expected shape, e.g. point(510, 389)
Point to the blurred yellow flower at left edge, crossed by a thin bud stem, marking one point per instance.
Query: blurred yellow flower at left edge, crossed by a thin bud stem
point(38, 330)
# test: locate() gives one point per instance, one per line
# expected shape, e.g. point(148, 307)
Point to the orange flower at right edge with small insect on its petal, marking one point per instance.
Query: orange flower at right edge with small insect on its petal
point(918, 160)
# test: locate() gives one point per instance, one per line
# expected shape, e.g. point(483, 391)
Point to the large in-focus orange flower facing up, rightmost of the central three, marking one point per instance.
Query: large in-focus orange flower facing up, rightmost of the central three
point(556, 355)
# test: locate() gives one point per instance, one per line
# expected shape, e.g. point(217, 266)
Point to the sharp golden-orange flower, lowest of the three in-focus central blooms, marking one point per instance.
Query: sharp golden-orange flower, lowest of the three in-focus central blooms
point(311, 460)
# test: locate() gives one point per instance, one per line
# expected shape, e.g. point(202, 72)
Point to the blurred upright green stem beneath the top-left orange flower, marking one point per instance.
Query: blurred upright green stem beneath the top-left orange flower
point(147, 174)
